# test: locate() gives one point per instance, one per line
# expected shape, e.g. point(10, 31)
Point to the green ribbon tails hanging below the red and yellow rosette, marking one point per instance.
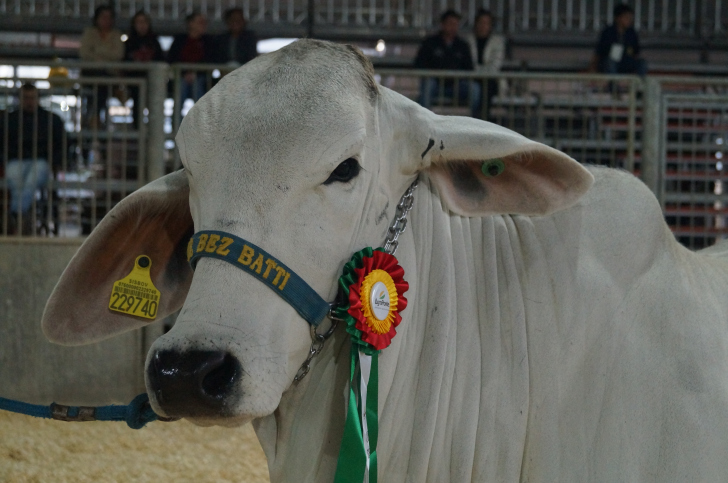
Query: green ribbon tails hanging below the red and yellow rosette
point(352, 461)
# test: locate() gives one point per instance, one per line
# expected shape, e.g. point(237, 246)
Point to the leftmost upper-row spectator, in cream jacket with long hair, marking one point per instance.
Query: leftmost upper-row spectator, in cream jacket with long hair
point(101, 43)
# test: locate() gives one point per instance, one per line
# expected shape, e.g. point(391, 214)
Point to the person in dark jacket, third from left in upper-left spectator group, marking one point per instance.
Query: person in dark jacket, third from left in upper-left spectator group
point(191, 48)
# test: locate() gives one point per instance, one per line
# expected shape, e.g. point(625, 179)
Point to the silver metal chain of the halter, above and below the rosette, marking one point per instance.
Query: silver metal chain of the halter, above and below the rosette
point(391, 242)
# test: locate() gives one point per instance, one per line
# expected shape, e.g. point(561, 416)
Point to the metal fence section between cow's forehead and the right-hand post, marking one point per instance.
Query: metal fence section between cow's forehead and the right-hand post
point(590, 117)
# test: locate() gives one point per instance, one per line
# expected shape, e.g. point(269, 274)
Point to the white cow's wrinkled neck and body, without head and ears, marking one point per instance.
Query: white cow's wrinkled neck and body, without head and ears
point(532, 351)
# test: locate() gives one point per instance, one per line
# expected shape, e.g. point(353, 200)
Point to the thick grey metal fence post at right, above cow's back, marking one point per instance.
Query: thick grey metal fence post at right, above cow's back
point(652, 135)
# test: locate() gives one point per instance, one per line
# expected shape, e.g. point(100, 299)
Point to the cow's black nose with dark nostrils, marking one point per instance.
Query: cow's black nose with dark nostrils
point(195, 383)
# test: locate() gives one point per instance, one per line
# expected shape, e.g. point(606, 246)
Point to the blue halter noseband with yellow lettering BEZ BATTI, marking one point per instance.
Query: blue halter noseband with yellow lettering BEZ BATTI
point(264, 267)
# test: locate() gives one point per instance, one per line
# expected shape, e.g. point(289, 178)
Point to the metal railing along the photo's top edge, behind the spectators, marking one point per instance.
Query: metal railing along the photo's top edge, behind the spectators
point(702, 18)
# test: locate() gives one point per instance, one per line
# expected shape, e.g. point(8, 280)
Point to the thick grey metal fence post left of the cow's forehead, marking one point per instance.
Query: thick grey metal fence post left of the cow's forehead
point(157, 92)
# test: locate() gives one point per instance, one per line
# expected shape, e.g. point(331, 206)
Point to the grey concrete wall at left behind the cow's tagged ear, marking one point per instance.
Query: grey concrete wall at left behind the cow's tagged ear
point(36, 371)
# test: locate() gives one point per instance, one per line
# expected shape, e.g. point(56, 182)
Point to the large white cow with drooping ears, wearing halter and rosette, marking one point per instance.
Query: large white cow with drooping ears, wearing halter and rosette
point(555, 332)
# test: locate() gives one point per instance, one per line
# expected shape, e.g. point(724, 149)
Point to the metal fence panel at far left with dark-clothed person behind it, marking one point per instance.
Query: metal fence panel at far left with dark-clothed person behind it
point(63, 180)
